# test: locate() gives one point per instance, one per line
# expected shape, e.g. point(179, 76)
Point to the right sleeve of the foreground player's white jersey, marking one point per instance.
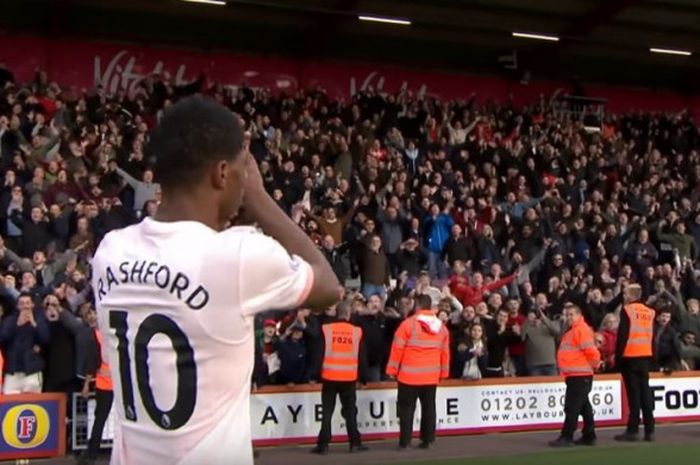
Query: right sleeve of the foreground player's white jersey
point(271, 278)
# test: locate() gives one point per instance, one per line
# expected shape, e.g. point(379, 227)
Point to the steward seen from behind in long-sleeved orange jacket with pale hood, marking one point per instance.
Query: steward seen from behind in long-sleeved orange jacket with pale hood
point(420, 357)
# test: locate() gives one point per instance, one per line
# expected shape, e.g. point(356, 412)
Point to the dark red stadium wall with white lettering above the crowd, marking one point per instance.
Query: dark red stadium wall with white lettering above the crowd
point(121, 66)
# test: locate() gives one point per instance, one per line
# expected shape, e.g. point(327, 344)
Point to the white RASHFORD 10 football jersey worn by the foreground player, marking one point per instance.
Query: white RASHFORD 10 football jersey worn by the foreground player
point(176, 303)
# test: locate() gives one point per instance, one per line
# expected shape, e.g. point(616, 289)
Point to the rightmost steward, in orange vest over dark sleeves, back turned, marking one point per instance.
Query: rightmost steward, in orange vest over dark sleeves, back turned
point(634, 354)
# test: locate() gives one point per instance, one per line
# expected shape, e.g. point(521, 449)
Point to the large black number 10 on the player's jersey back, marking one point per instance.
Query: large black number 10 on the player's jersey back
point(186, 394)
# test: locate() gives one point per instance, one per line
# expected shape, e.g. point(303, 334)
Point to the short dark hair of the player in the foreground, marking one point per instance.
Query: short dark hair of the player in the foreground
point(193, 134)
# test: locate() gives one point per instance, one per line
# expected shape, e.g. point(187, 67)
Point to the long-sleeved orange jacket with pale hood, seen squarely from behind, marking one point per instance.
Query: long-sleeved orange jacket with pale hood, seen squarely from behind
point(420, 353)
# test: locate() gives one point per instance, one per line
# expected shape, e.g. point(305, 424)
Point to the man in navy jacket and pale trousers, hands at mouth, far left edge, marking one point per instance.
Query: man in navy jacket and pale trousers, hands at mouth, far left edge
point(22, 335)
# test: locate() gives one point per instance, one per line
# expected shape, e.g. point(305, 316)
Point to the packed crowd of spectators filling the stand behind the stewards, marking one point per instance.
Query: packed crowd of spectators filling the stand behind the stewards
point(500, 214)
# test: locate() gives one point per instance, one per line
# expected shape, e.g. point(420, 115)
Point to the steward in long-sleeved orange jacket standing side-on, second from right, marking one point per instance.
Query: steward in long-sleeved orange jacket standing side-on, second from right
point(578, 358)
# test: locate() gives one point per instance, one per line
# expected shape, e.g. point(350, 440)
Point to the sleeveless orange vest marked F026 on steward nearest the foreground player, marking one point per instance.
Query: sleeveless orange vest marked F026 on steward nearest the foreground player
point(342, 342)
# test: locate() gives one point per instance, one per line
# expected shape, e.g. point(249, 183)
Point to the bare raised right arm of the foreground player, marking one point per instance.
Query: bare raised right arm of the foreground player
point(261, 208)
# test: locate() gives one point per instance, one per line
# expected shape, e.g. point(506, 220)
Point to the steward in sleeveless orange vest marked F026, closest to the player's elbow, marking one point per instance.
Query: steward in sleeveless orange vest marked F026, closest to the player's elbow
point(342, 354)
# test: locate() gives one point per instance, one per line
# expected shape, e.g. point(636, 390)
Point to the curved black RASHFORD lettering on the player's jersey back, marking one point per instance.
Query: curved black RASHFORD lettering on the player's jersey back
point(144, 272)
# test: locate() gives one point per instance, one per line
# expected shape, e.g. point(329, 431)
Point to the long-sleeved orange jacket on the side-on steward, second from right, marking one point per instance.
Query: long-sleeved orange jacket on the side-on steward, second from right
point(578, 355)
